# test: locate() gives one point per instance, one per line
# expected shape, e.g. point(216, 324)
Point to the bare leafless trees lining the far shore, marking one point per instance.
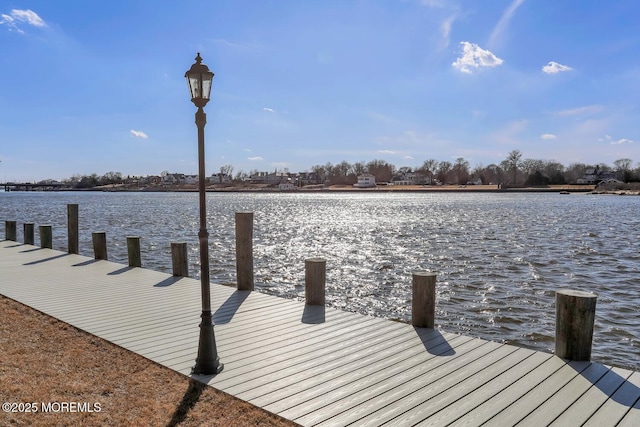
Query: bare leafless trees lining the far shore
point(513, 170)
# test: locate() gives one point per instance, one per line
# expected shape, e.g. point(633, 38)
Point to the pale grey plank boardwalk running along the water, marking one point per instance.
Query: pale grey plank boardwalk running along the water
point(316, 365)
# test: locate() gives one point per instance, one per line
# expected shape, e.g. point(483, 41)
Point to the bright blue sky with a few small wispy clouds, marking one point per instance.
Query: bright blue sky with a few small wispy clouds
point(92, 87)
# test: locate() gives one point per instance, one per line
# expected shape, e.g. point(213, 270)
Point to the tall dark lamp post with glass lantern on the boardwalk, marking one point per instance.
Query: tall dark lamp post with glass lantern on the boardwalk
point(207, 363)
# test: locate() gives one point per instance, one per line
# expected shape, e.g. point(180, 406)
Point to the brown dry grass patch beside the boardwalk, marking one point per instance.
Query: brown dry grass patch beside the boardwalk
point(74, 378)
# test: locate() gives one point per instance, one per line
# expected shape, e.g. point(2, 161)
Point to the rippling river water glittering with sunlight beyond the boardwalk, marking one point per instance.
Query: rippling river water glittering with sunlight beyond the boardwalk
point(499, 257)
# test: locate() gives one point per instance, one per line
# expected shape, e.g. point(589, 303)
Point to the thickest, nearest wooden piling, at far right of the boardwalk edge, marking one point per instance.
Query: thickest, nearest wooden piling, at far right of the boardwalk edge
point(575, 315)
